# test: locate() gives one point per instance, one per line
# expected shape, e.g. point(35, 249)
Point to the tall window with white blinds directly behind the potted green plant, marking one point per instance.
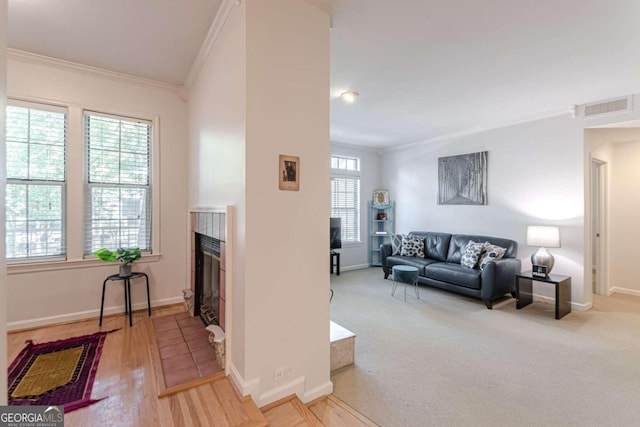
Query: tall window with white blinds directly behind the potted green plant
point(118, 186)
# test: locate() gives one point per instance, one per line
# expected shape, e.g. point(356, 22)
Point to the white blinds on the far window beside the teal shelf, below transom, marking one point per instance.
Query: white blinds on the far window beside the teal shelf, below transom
point(345, 203)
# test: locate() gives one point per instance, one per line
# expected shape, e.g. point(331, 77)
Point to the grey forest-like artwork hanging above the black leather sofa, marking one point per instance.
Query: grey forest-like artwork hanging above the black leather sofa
point(462, 180)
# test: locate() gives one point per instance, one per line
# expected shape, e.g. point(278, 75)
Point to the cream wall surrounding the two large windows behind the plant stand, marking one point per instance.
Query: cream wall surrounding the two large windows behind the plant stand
point(72, 290)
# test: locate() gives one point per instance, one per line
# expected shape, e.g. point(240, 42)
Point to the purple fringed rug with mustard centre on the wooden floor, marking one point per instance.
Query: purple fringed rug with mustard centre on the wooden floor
point(57, 372)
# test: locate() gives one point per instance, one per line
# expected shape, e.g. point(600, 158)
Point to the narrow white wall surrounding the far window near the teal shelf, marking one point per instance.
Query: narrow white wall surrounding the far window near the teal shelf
point(357, 255)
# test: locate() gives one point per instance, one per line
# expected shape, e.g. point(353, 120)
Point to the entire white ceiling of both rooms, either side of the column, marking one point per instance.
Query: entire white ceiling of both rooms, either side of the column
point(424, 69)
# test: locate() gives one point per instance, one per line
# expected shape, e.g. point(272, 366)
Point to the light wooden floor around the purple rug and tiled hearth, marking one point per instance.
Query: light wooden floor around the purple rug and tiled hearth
point(129, 376)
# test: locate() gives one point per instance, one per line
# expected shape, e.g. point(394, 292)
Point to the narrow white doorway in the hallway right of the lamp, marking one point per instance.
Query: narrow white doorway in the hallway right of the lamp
point(598, 226)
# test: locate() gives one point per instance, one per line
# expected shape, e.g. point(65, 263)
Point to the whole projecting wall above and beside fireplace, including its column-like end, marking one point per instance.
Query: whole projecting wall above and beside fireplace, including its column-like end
point(262, 93)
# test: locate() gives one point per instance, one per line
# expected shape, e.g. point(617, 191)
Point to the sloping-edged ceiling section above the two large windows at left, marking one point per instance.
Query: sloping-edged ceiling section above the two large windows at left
point(154, 39)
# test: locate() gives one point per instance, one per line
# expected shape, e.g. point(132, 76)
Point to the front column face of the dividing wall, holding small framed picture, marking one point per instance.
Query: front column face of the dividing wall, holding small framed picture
point(287, 276)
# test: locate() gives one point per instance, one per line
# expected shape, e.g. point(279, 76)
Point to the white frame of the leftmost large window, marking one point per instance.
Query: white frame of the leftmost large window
point(26, 182)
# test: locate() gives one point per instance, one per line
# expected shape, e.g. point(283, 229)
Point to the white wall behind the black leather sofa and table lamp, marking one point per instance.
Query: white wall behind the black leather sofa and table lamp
point(537, 174)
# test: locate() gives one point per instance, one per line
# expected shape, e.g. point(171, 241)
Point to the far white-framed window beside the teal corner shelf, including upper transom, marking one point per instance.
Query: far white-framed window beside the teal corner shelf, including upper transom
point(345, 195)
